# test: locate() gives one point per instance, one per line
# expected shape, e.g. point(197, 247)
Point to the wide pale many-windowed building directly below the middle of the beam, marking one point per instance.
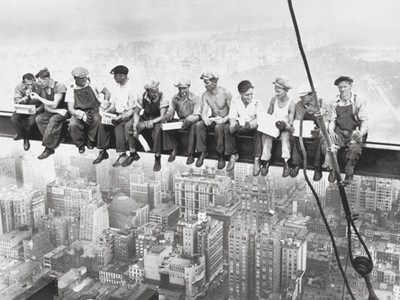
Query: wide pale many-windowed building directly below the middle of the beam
point(195, 192)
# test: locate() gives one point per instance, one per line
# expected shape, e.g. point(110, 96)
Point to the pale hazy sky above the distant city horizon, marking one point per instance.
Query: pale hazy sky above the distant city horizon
point(57, 20)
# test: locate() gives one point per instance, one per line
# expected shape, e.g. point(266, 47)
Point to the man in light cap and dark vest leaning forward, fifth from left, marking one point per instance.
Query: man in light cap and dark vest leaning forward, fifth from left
point(154, 107)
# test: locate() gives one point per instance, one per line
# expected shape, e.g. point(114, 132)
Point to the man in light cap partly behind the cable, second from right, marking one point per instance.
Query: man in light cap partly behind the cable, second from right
point(306, 109)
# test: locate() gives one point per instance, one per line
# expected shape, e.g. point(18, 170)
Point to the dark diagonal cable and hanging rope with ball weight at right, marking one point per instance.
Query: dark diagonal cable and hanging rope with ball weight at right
point(361, 264)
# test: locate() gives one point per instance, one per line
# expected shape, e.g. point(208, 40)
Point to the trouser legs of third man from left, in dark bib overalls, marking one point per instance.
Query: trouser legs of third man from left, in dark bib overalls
point(82, 132)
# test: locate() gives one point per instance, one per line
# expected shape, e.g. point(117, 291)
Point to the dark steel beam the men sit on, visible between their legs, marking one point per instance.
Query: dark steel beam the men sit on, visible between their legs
point(377, 159)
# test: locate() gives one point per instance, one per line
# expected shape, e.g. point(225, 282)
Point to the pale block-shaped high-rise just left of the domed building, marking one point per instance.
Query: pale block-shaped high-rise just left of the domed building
point(93, 220)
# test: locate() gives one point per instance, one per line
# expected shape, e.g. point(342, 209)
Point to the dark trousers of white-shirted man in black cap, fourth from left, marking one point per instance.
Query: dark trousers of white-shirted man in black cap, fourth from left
point(121, 140)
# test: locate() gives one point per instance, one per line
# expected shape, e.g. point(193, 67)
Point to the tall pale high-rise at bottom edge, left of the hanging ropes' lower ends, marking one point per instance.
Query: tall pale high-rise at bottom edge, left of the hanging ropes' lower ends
point(293, 259)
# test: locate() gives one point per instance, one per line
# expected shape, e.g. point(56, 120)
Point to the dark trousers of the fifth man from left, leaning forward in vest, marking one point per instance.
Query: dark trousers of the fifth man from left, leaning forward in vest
point(153, 137)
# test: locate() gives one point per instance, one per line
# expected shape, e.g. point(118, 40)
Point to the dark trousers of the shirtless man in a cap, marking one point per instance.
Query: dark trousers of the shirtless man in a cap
point(225, 140)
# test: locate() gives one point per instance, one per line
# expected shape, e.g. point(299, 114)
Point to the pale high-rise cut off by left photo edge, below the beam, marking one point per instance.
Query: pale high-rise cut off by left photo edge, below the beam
point(20, 206)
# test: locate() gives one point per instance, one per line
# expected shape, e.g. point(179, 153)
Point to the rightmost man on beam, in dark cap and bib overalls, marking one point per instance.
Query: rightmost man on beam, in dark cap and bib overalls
point(348, 124)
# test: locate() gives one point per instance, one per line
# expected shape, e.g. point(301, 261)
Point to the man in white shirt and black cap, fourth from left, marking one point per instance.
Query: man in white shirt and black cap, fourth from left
point(122, 102)
